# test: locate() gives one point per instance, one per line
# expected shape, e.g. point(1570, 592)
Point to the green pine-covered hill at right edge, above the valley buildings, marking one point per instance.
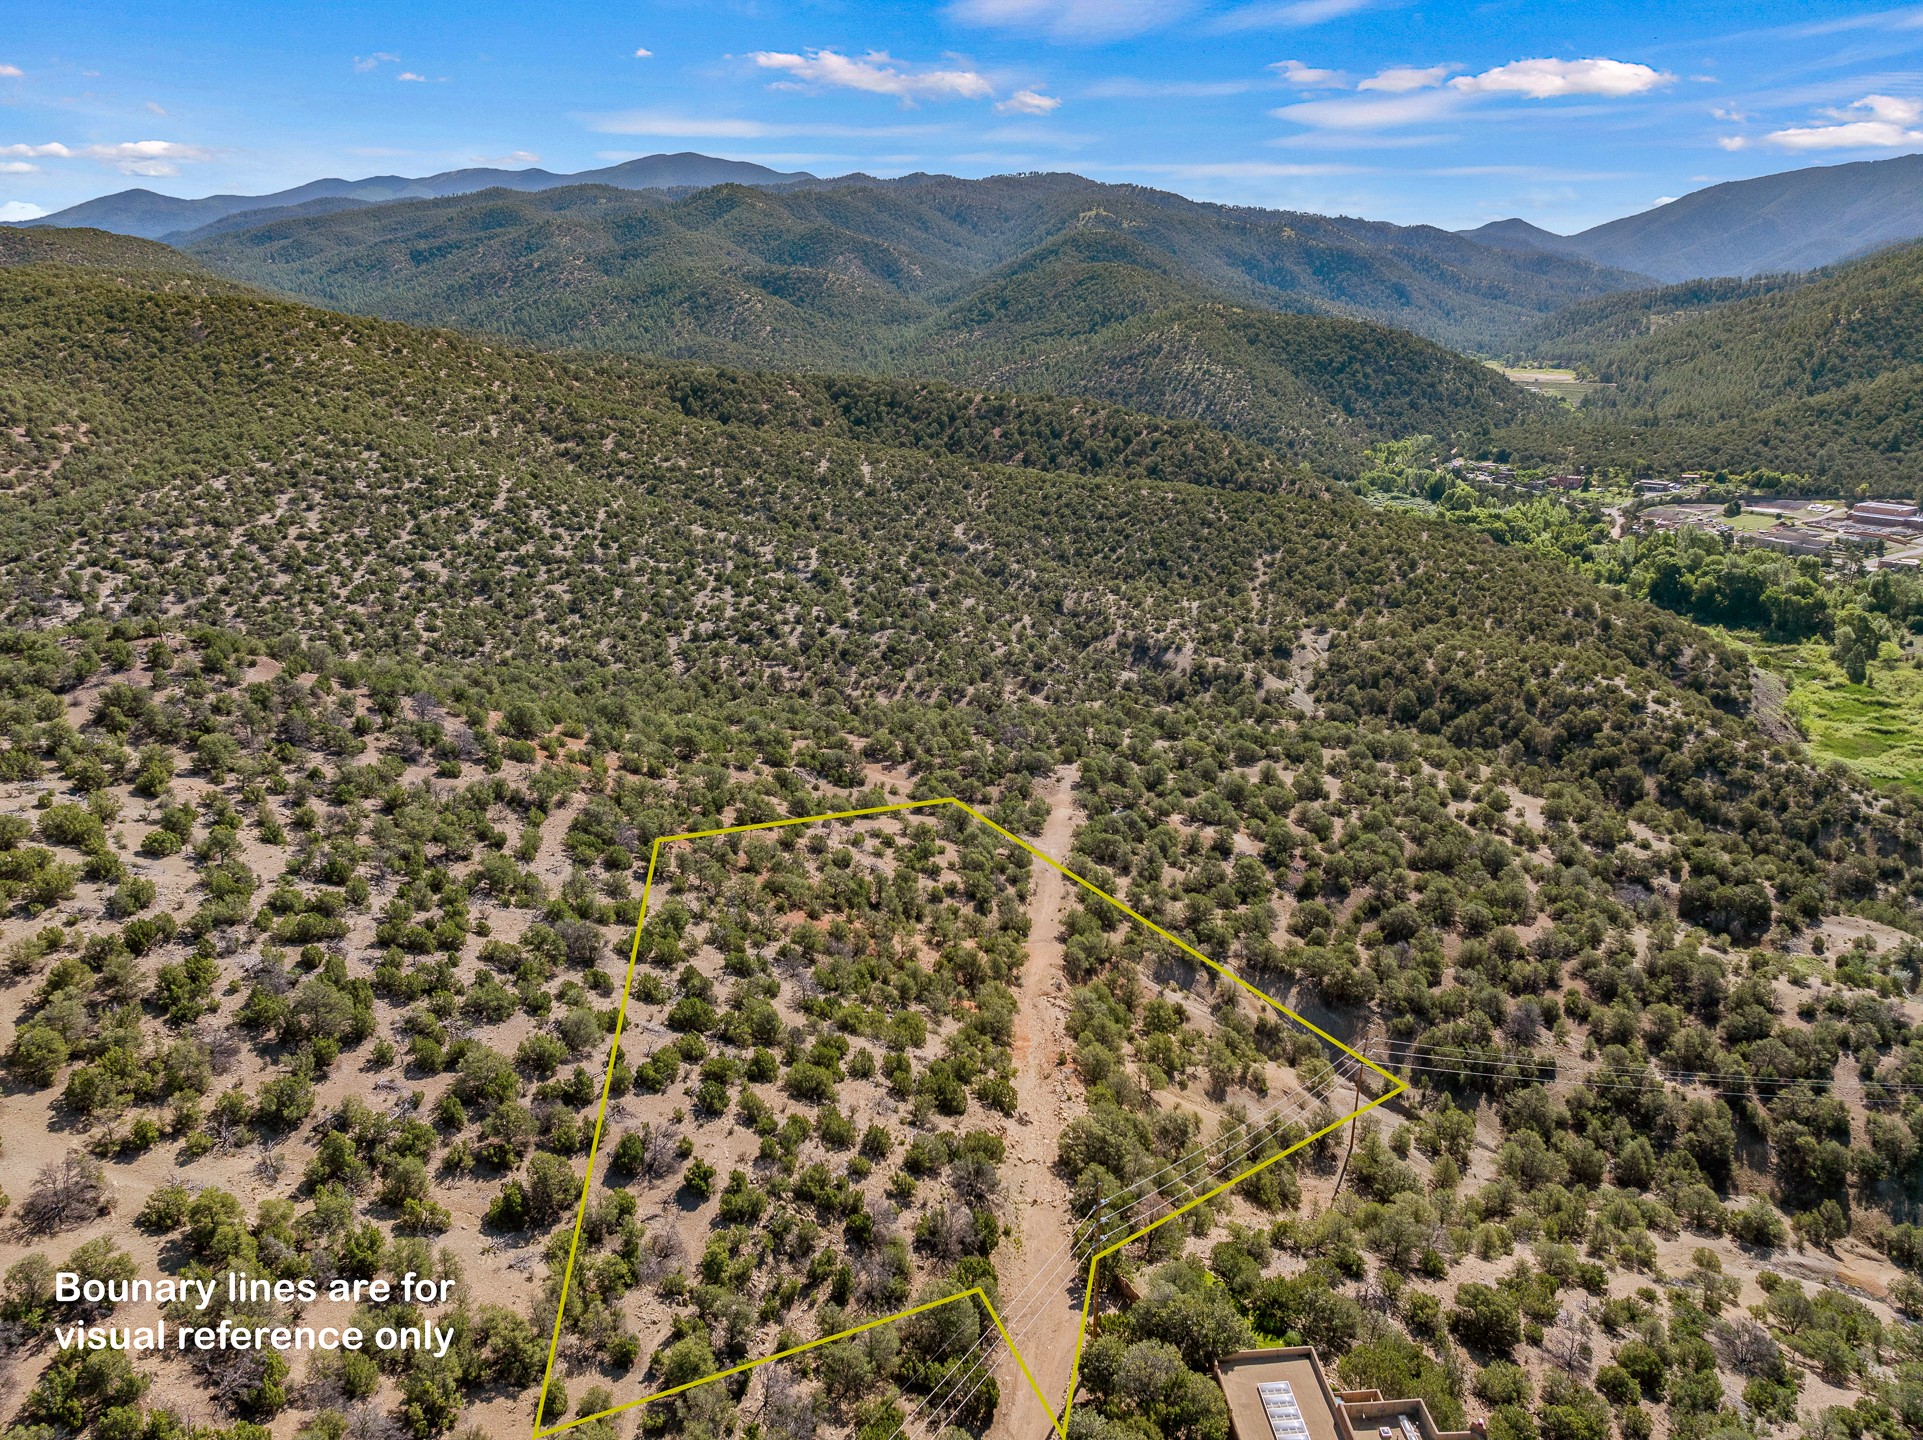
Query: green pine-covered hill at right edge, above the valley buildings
point(1822, 376)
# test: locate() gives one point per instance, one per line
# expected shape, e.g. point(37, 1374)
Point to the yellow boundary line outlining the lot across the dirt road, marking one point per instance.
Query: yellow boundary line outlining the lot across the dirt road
point(1068, 1403)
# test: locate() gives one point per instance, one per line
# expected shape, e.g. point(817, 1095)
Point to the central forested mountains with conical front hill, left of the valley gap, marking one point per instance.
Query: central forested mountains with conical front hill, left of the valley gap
point(1270, 326)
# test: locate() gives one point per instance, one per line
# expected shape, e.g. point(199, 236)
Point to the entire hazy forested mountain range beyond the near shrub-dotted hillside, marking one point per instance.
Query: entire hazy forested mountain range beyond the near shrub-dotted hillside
point(1307, 334)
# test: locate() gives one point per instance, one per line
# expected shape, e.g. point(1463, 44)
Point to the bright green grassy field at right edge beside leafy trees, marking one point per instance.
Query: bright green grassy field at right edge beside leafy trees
point(1876, 730)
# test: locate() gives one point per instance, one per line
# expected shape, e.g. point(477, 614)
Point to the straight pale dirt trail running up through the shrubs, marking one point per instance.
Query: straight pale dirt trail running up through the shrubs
point(1045, 1318)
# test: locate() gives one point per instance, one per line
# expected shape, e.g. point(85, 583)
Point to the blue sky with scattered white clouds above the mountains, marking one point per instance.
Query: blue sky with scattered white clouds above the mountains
point(1441, 112)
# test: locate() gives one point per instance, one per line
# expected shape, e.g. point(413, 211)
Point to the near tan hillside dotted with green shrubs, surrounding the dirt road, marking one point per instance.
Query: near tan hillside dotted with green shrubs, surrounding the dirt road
point(353, 670)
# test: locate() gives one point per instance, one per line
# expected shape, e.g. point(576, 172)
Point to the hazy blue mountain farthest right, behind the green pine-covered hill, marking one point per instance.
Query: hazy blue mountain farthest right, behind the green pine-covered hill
point(1791, 222)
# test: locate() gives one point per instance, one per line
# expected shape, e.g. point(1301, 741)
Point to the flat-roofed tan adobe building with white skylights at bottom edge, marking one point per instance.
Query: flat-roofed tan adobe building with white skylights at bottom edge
point(1284, 1395)
